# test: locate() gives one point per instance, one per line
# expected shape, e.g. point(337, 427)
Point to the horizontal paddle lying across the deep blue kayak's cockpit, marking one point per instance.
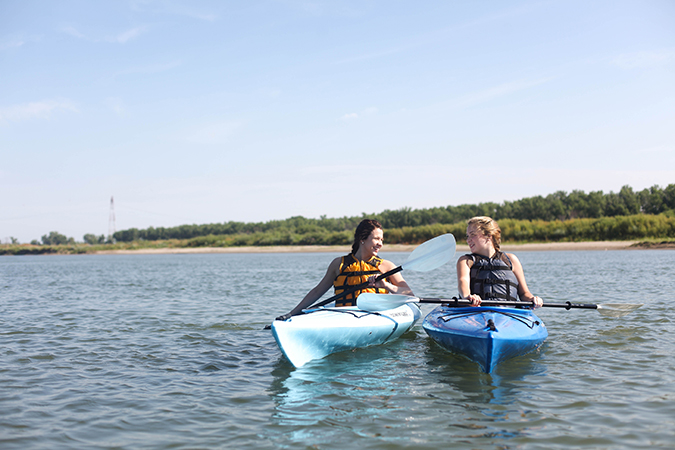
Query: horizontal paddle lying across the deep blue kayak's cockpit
point(379, 302)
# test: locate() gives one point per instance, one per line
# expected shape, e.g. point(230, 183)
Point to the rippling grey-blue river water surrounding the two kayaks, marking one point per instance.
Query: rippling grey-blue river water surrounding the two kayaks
point(169, 352)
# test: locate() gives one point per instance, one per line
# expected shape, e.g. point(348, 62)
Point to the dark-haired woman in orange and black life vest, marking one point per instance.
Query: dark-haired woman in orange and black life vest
point(360, 266)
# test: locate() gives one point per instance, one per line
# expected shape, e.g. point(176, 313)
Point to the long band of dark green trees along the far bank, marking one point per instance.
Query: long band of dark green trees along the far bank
point(557, 208)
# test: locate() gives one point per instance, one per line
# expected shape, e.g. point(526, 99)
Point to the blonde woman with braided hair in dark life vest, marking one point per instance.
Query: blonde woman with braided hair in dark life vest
point(487, 273)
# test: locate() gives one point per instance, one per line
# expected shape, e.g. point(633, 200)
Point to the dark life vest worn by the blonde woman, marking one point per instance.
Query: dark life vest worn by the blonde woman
point(493, 277)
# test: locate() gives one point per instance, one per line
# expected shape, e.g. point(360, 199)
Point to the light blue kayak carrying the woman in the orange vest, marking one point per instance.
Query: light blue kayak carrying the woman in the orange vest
point(323, 331)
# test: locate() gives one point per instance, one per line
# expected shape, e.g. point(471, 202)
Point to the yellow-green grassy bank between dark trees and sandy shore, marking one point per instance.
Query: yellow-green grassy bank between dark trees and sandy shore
point(653, 231)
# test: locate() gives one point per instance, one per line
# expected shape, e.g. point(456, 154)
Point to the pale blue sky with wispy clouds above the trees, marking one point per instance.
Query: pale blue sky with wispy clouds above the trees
point(194, 112)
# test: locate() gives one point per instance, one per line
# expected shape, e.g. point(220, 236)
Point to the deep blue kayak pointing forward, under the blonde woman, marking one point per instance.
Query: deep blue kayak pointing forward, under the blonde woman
point(486, 335)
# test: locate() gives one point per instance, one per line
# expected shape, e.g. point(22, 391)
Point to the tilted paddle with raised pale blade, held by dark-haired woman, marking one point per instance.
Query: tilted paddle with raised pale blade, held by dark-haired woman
point(427, 256)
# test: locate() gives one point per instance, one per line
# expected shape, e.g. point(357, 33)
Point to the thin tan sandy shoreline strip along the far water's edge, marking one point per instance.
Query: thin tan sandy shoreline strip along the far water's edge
point(511, 248)
